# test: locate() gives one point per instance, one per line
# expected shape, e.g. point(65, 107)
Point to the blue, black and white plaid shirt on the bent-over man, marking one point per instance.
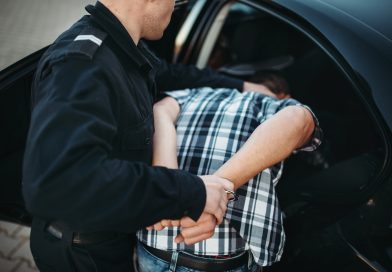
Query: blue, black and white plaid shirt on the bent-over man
point(213, 124)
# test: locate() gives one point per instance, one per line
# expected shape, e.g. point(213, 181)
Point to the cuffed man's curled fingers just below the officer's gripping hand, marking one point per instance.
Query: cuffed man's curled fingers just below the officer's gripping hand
point(193, 232)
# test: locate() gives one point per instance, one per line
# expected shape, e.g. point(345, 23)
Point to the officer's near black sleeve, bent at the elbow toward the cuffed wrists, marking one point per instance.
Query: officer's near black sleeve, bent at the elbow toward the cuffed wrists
point(68, 174)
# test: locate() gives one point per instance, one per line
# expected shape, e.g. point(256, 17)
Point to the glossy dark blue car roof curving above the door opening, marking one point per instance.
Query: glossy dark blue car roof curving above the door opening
point(355, 34)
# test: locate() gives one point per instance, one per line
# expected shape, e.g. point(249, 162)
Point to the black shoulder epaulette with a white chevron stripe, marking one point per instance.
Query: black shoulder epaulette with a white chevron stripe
point(87, 42)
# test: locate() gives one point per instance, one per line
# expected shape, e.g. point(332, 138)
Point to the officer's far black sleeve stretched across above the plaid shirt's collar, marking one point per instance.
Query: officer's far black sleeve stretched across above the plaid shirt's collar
point(179, 76)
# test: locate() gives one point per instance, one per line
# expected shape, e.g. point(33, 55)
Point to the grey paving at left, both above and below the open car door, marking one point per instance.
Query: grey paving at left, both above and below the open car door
point(25, 27)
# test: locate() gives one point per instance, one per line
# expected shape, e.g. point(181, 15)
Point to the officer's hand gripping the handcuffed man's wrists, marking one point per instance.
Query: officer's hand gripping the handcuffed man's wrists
point(217, 198)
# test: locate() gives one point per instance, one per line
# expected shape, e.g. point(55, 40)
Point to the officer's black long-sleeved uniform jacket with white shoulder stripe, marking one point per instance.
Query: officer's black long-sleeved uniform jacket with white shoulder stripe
point(89, 145)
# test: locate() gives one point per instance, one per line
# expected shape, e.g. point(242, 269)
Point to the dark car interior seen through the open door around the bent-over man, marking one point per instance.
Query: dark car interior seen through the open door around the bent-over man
point(317, 188)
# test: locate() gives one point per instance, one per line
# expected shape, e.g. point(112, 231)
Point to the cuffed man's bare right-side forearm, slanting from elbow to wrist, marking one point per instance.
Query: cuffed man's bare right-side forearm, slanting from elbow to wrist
point(272, 141)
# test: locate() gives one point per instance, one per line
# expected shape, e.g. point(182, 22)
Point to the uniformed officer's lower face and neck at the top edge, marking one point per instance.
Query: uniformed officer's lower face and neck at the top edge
point(142, 18)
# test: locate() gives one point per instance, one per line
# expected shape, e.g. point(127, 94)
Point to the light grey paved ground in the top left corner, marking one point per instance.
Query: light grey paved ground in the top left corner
point(27, 26)
